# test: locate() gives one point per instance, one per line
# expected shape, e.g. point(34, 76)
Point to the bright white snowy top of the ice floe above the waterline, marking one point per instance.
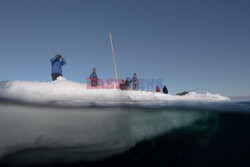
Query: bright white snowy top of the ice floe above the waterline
point(68, 92)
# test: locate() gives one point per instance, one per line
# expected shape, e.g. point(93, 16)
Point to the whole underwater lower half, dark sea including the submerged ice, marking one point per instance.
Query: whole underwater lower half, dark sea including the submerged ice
point(208, 134)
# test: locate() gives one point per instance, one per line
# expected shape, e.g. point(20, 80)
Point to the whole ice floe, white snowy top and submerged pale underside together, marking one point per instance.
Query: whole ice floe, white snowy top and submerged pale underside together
point(72, 123)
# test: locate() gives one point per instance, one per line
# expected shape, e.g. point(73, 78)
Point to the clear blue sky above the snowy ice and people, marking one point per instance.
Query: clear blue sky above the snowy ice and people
point(189, 44)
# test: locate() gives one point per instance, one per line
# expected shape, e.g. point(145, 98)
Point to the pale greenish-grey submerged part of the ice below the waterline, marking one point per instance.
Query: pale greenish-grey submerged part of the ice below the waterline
point(80, 134)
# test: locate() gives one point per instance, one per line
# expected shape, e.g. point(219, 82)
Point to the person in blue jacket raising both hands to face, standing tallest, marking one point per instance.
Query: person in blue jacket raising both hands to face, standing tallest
point(57, 62)
